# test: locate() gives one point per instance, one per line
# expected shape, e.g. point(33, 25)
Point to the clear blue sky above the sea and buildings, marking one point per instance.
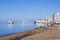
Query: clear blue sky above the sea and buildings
point(29, 9)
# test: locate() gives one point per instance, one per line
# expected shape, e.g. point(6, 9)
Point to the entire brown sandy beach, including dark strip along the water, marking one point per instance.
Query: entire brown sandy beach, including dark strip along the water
point(49, 33)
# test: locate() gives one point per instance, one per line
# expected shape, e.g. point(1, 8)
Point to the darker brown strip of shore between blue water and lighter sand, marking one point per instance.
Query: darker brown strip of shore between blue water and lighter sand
point(22, 34)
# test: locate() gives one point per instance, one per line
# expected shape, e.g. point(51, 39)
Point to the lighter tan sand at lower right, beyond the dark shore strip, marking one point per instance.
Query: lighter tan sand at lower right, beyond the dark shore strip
point(52, 34)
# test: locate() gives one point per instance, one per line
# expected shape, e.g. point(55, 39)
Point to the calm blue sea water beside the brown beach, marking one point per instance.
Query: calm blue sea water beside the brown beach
point(6, 29)
